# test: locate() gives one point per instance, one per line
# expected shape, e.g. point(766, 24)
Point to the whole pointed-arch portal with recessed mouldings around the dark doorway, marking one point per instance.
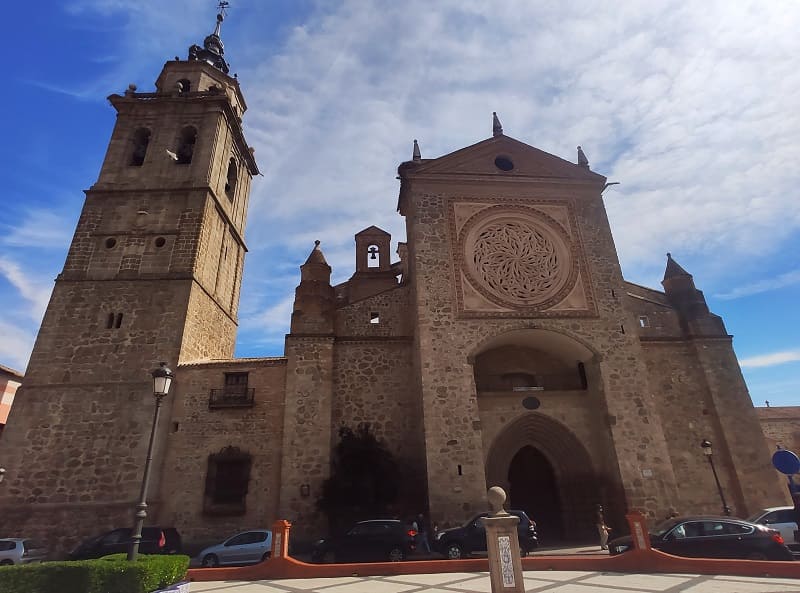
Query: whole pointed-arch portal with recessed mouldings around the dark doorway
point(549, 474)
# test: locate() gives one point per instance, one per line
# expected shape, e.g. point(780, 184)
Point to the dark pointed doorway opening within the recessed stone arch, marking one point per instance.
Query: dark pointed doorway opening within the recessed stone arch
point(533, 488)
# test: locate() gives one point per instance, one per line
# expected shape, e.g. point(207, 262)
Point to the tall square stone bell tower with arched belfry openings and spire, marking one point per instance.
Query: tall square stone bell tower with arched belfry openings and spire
point(153, 274)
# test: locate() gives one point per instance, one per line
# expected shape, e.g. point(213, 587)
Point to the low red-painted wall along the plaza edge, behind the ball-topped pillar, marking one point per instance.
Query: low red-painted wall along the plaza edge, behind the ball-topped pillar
point(634, 561)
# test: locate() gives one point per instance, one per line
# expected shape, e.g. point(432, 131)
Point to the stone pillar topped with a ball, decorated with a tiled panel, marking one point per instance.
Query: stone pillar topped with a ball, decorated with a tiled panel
point(502, 543)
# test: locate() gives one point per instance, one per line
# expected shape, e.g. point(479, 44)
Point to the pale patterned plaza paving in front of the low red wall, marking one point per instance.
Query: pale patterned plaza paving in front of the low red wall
point(550, 581)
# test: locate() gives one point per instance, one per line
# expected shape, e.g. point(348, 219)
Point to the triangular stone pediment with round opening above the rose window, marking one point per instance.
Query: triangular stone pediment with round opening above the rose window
point(479, 159)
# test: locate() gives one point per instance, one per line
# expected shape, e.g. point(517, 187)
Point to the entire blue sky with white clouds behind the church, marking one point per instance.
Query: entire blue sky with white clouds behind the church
point(692, 106)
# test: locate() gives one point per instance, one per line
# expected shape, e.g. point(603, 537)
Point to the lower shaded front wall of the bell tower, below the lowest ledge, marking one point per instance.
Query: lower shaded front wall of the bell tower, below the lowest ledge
point(77, 435)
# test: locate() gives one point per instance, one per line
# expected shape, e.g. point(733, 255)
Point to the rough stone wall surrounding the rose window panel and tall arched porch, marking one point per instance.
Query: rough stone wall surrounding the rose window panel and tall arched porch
point(445, 342)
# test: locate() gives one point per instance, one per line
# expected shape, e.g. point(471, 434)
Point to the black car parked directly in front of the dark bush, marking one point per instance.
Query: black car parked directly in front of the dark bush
point(377, 540)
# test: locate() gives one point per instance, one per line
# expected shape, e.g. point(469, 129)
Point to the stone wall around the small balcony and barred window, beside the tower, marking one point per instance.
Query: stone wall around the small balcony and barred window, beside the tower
point(197, 431)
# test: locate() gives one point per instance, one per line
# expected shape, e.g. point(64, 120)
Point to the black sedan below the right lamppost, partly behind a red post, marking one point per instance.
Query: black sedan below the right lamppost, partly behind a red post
point(712, 537)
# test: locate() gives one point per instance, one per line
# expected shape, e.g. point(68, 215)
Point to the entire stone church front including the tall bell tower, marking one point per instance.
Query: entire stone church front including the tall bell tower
point(501, 347)
